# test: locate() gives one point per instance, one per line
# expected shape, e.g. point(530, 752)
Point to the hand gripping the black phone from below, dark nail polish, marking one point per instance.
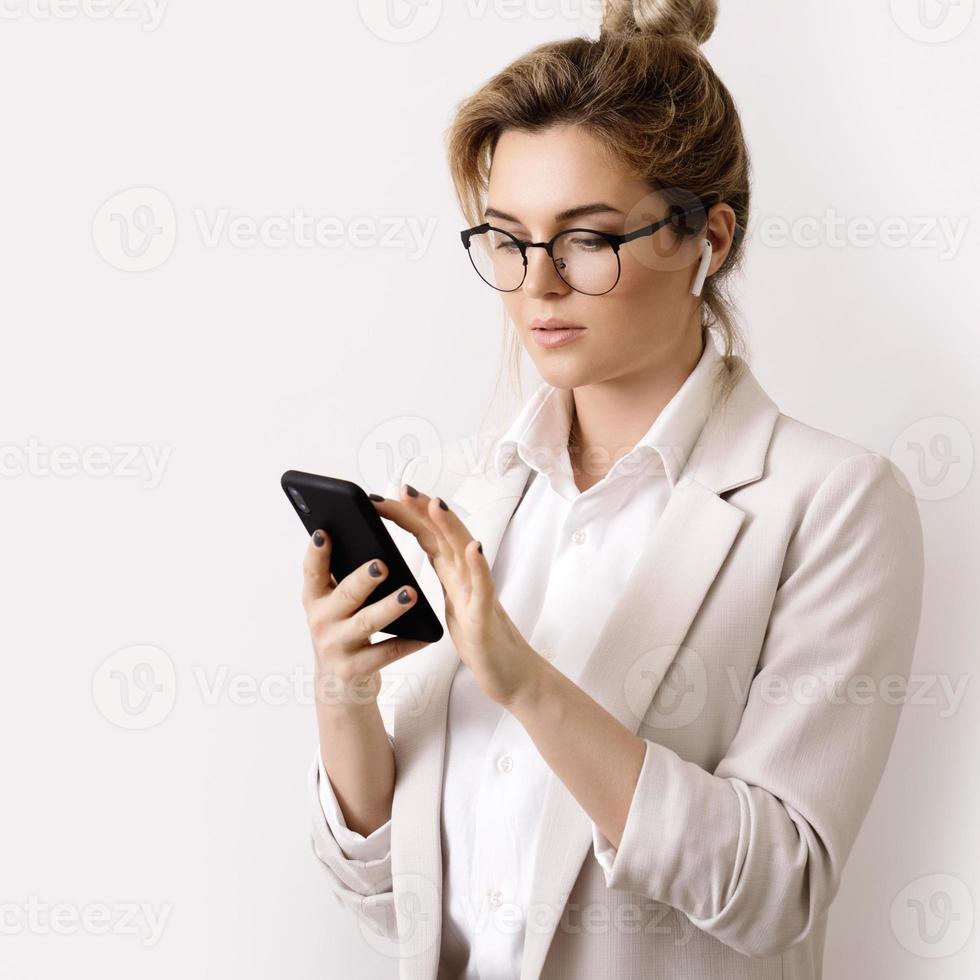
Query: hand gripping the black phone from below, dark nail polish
point(348, 665)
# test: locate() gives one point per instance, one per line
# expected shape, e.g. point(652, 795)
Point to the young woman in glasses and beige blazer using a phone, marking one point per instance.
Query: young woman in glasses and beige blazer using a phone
point(675, 616)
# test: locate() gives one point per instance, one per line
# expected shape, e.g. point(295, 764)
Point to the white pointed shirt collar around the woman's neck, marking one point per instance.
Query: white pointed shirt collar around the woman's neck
point(539, 433)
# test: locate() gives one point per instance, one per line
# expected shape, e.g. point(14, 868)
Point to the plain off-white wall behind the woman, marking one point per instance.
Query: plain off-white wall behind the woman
point(232, 364)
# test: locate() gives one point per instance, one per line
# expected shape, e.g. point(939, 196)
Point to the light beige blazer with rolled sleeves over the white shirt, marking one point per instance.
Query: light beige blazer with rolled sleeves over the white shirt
point(786, 558)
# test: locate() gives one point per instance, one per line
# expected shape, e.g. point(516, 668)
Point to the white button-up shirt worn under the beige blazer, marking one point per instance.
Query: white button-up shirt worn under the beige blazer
point(560, 544)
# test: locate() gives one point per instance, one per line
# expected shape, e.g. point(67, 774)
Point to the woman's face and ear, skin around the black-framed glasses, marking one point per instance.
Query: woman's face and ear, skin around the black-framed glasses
point(650, 319)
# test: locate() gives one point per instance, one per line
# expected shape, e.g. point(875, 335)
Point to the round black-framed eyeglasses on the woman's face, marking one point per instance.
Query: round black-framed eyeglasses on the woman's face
point(586, 260)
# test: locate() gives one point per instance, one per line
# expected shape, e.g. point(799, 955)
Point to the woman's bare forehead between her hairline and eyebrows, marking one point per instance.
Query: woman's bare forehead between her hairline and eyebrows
point(536, 175)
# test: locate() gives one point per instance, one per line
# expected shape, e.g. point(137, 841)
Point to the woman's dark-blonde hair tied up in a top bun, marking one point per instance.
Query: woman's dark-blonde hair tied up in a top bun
point(646, 92)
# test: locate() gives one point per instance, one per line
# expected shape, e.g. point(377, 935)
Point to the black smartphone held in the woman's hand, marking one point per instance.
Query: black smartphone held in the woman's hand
point(357, 534)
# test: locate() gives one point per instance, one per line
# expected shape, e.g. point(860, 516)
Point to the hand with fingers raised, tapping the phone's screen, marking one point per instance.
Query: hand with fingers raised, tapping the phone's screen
point(486, 639)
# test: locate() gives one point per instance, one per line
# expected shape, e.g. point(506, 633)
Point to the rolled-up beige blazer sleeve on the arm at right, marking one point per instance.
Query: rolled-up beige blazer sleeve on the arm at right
point(753, 852)
